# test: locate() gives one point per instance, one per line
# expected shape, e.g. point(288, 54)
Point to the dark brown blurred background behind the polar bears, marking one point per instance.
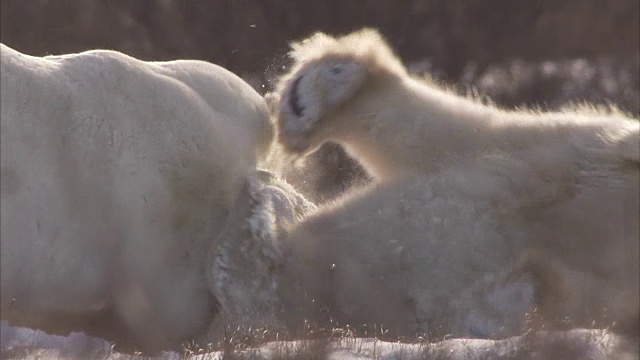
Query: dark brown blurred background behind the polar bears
point(541, 53)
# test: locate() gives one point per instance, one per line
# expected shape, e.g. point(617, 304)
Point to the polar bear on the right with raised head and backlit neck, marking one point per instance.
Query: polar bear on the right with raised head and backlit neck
point(467, 189)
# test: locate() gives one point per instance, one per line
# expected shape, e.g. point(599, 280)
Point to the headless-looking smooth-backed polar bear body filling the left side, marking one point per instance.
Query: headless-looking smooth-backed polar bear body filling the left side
point(117, 175)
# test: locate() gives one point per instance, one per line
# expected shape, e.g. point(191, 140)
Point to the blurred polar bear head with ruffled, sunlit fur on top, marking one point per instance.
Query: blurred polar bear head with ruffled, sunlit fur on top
point(327, 73)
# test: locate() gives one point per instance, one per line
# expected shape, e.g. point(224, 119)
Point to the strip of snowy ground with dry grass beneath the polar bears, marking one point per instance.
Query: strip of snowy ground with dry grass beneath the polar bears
point(23, 343)
